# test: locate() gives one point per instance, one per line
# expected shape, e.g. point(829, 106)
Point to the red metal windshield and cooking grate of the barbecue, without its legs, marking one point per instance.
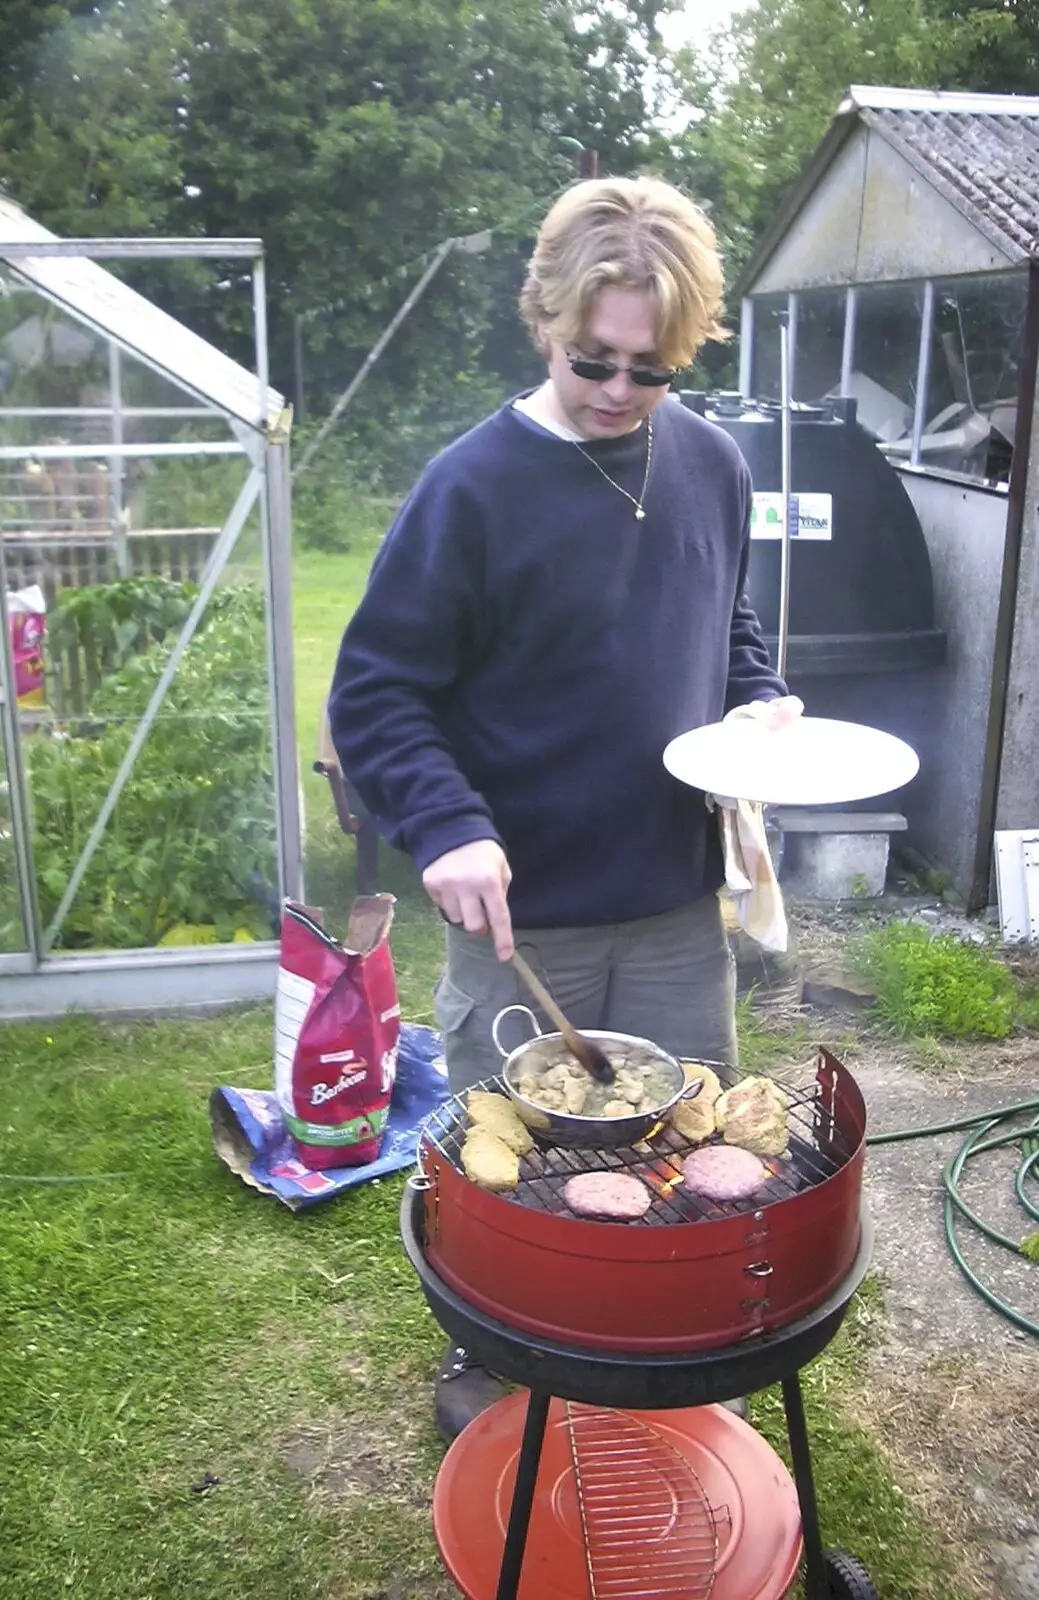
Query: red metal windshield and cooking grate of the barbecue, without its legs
point(691, 1274)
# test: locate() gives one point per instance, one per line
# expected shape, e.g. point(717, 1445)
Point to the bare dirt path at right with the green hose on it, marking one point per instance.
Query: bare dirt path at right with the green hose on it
point(953, 1388)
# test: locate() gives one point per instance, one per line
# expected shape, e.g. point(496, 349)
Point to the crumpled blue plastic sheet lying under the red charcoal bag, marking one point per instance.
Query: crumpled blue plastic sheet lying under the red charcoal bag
point(251, 1137)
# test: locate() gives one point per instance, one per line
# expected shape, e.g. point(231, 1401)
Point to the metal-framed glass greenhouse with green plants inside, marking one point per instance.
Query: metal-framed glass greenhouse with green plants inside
point(150, 794)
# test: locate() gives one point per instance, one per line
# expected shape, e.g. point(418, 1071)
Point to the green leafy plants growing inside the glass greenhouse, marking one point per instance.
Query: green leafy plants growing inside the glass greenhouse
point(193, 838)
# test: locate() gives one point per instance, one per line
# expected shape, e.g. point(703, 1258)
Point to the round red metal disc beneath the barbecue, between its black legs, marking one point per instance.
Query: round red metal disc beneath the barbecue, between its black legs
point(630, 1506)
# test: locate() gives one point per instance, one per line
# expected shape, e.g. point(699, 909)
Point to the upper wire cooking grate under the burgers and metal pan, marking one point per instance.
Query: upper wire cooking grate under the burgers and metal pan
point(817, 1151)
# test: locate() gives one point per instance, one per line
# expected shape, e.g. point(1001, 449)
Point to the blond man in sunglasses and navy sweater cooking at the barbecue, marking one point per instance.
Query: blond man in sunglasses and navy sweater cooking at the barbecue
point(560, 598)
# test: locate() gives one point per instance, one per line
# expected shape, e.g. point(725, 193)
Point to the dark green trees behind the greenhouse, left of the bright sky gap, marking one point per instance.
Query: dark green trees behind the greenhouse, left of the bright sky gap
point(350, 135)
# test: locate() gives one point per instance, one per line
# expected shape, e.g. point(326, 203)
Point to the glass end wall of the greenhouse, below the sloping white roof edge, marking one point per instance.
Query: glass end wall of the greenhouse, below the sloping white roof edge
point(118, 551)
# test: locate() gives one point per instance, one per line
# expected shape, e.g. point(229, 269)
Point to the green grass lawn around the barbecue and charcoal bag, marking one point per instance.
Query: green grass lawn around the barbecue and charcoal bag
point(161, 1322)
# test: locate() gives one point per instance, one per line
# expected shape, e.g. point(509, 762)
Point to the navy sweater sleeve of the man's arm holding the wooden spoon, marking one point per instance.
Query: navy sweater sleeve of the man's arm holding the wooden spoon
point(399, 660)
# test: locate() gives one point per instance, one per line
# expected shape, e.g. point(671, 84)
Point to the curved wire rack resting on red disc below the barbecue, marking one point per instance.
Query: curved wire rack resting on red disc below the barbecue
point(649, 1527)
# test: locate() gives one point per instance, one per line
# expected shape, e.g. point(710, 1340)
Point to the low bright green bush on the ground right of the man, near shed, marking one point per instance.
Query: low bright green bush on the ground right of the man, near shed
point(937, 985)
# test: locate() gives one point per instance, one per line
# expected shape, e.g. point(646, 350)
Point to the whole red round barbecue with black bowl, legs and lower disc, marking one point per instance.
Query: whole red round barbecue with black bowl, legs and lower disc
point(617, 1478)
